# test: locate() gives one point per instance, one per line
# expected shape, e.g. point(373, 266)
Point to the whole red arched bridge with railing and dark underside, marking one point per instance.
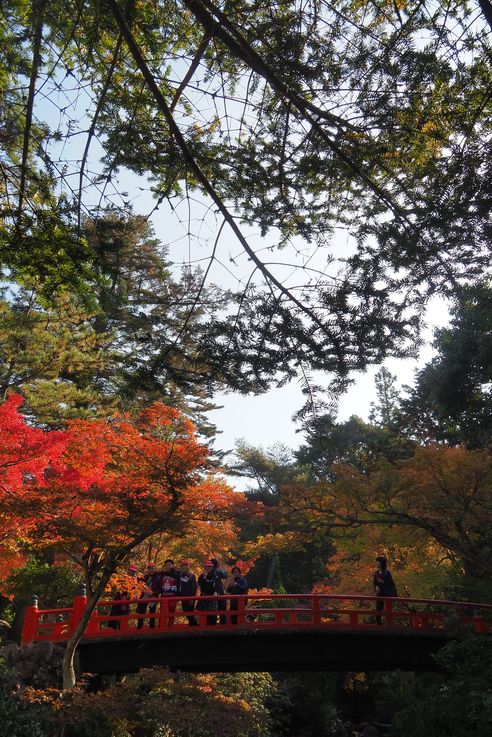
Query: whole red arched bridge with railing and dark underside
point(260, 632)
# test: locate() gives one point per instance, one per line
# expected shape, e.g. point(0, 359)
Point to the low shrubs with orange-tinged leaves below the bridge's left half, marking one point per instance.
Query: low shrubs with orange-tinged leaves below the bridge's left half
point(158, 704)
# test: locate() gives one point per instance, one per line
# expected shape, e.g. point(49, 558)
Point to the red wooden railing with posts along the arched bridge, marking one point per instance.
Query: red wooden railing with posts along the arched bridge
point(151, 616)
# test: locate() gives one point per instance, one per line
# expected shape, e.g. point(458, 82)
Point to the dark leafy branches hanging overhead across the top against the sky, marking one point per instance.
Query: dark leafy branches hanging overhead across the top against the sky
point(356, 136)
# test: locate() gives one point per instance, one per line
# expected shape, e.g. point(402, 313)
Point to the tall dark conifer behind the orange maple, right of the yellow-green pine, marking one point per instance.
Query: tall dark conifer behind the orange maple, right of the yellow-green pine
point(155, 323)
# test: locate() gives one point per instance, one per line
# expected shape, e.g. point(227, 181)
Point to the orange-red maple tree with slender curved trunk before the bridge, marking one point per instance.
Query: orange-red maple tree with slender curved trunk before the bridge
point(103, 487)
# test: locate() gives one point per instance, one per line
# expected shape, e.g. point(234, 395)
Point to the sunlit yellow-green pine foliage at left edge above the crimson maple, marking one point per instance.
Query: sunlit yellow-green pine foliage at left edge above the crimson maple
point(50, 352)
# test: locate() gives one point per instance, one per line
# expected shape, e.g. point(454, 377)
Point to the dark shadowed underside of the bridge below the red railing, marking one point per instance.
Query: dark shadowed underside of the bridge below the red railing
point(289, 650)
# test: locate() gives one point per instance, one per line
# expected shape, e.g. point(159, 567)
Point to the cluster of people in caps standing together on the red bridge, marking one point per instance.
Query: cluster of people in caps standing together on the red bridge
point(174, 582)
